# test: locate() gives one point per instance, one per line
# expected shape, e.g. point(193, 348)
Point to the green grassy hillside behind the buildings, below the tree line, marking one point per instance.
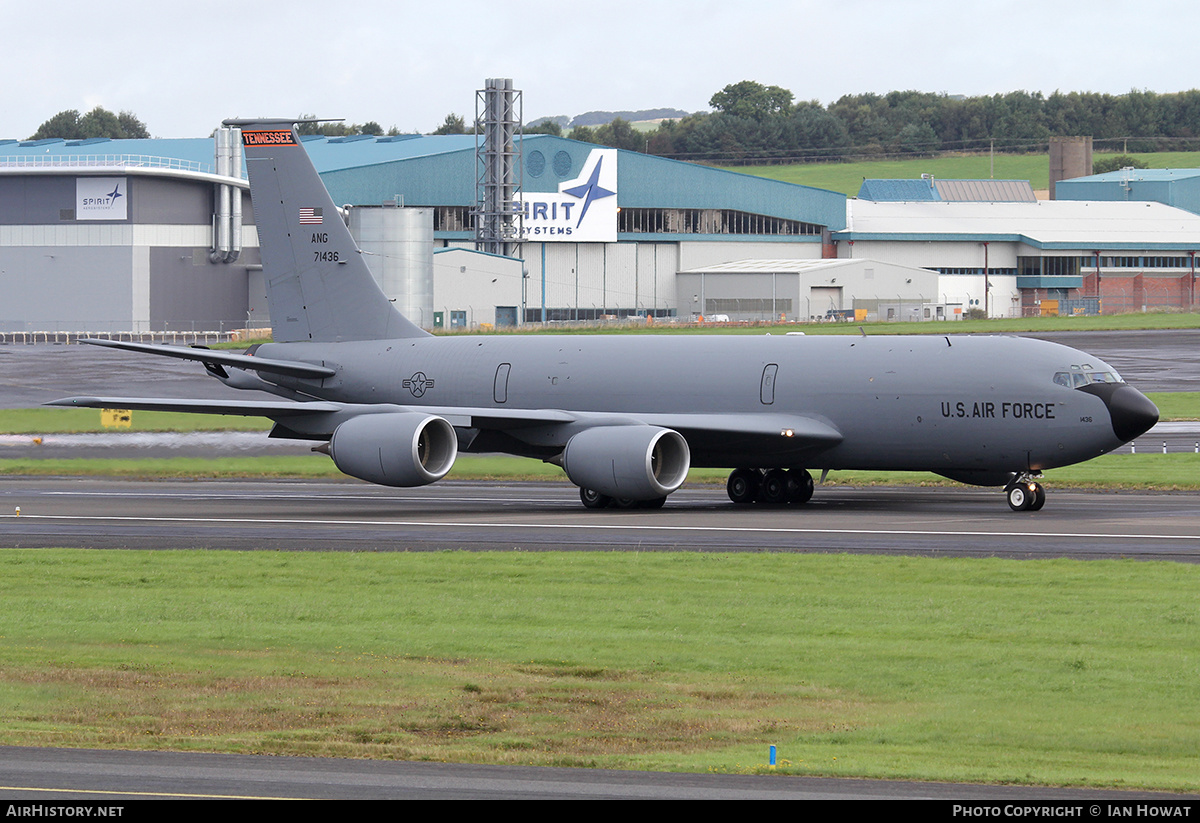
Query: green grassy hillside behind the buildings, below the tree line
point(848, 178)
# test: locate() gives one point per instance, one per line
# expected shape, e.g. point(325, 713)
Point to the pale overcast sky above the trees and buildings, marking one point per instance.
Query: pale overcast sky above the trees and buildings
point(183, 69)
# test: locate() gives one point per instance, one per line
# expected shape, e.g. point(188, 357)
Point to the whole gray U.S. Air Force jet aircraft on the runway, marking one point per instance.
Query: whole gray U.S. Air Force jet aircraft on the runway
point(626, 417)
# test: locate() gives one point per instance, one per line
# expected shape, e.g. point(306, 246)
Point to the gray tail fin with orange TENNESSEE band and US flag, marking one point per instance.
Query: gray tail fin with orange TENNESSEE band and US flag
point(319, 286)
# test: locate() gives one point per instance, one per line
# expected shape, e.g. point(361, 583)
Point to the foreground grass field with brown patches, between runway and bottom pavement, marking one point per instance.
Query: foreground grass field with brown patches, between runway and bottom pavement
point(995, 671)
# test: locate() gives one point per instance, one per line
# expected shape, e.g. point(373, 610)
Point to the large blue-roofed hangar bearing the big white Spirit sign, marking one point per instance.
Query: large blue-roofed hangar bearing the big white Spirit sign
point(607, 231)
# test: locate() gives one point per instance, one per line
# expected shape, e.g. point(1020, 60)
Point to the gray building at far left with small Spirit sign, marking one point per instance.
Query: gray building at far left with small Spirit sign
point(122, 236)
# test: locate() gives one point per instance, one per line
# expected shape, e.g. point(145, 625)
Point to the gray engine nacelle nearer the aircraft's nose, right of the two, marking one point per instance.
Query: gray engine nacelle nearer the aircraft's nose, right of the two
point(635, 462)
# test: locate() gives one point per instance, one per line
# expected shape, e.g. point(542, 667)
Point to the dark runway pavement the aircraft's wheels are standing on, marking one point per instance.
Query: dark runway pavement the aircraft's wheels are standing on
point(353, 516)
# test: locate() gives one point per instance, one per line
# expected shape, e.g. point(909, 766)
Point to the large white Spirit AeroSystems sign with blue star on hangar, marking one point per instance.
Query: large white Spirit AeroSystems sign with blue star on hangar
point(584, 211)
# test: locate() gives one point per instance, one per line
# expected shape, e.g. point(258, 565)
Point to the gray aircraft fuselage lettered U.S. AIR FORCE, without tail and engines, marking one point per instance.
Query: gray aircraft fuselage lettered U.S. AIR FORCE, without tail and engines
point(950, 405)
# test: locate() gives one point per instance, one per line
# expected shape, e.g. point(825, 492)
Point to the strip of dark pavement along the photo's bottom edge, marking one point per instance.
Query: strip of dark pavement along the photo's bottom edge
point(112, 778)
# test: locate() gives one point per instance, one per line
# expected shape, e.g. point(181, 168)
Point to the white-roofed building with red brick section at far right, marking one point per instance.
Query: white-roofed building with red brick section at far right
point(1040, 256)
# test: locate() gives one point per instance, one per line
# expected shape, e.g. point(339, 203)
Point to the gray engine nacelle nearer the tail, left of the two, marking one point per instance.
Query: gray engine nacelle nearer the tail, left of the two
point(400, 449)
